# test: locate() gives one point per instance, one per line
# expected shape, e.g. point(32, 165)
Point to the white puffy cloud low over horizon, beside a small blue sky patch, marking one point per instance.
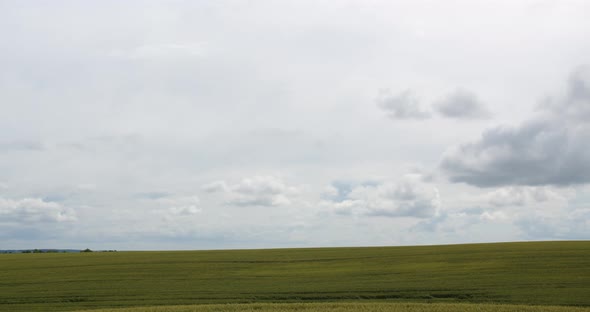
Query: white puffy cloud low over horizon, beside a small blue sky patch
point(409, 197)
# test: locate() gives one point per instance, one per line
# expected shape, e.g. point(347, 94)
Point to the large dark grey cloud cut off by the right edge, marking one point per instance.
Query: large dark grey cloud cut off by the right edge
point(549, 149)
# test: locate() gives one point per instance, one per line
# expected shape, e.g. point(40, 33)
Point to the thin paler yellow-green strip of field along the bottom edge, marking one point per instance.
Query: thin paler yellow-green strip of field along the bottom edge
point(351, 307)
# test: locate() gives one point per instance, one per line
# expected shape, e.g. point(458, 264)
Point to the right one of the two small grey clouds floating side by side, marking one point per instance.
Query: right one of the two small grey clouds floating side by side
point(462, 104)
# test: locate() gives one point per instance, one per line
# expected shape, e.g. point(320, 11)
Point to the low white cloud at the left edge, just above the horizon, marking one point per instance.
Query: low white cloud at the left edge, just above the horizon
point(34, 210)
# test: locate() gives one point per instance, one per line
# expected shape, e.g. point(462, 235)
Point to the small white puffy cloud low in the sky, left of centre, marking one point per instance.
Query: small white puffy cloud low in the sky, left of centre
point(255, 191)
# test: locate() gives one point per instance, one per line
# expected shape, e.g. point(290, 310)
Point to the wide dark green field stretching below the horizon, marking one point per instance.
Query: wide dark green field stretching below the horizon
point(540, 273)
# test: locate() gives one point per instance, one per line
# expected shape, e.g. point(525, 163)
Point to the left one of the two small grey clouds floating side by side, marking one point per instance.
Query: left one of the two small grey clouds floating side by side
point(404, 105)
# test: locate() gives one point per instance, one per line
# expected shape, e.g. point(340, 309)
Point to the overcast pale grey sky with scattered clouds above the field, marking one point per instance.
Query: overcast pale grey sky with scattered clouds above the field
point(173, 125)
